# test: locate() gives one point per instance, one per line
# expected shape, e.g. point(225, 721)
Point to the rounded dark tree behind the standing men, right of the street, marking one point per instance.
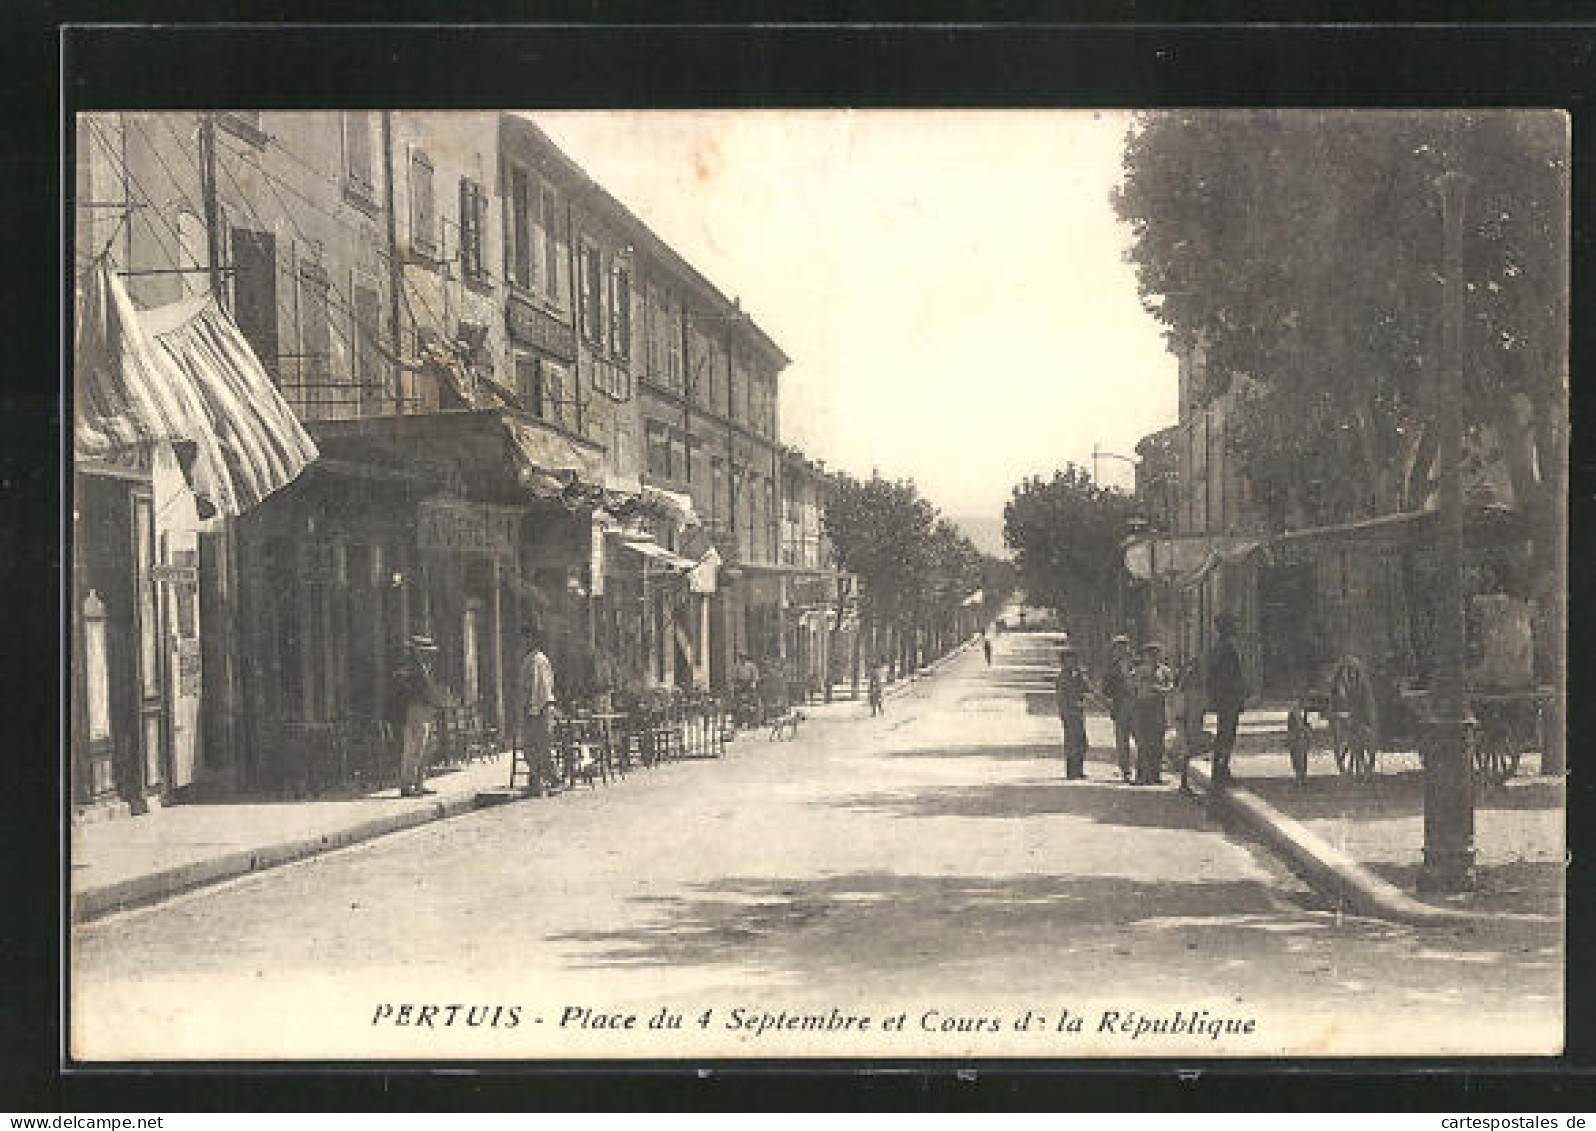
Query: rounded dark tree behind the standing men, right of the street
point(1067, 535)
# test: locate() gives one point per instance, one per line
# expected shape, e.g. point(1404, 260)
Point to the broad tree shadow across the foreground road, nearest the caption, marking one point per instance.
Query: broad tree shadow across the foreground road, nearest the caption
point(882, 924)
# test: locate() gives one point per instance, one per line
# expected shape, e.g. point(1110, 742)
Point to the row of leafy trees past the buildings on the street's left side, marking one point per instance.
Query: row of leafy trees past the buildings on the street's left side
point(915, 569)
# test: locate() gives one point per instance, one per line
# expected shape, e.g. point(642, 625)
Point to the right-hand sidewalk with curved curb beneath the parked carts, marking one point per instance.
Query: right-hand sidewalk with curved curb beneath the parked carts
point(1362, 846)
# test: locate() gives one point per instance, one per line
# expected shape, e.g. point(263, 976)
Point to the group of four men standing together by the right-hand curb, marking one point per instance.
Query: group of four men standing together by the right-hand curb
point(1137, 690)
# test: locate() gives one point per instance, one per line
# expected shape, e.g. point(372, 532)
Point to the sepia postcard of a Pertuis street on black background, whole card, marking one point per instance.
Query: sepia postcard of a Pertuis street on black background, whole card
point(818, 583)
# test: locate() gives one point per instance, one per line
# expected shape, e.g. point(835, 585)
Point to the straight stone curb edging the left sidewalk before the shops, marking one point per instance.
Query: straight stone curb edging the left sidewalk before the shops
point(154, 888)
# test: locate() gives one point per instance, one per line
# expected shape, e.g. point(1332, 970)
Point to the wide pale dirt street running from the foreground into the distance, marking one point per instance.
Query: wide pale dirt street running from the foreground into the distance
point(930, 872)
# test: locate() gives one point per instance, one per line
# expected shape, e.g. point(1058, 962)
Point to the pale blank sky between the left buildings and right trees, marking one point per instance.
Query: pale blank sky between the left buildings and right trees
point(950, 285)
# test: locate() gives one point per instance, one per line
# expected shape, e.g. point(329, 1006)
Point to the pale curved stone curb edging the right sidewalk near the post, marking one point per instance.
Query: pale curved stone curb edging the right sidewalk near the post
point(1327, 869)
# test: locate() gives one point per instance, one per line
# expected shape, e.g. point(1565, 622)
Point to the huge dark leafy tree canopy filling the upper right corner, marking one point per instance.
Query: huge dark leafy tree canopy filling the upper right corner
point(1302, 251)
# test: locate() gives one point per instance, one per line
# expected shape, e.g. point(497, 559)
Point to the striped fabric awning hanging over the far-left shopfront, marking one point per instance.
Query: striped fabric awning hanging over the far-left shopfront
point(183, 374)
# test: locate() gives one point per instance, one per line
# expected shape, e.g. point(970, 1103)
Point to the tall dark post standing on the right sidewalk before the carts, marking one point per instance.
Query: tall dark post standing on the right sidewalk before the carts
point(1448, 787)
